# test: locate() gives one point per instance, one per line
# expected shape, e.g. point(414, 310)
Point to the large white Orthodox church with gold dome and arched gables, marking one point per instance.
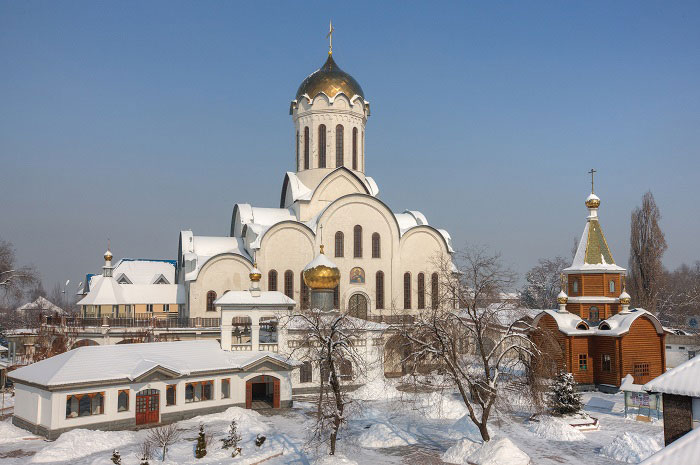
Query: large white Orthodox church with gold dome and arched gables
point(386, 259)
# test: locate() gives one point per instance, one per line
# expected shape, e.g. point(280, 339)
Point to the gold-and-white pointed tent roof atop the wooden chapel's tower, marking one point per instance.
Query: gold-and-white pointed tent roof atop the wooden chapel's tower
point(593, 253)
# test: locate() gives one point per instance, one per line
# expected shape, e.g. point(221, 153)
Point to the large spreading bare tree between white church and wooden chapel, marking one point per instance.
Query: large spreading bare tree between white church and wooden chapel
point(477, 349)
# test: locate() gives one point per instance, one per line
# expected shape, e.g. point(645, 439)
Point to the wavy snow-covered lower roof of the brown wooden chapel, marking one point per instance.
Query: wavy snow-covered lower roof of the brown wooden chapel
point(617, 325)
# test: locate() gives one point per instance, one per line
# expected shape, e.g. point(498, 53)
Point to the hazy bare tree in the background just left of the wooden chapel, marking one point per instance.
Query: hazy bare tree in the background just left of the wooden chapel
point(543, 283)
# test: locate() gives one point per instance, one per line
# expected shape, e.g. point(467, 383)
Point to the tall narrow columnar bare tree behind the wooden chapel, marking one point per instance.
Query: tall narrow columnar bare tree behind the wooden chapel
point(647, 246)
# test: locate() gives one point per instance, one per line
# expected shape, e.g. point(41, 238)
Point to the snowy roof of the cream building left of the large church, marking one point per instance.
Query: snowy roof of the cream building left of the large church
point(107, 291)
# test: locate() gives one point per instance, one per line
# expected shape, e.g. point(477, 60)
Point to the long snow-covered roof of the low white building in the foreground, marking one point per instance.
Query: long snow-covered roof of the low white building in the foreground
point(127, 362)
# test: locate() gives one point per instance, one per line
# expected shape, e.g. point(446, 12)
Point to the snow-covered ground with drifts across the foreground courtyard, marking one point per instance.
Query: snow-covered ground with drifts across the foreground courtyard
point(427, 430)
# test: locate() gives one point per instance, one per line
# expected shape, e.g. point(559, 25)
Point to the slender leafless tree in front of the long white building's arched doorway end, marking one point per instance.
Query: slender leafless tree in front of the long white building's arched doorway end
point(330, 343)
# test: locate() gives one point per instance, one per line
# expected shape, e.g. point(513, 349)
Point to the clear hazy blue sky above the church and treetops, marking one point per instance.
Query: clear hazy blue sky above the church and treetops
point(134, 120)
